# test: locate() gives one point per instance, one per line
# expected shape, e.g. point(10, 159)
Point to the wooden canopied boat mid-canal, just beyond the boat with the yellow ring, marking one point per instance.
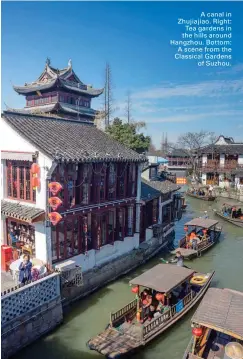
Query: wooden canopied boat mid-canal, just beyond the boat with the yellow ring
point(208, 229)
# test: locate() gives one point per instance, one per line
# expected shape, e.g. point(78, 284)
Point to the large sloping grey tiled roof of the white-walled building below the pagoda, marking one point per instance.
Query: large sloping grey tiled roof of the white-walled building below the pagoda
point(70, 140)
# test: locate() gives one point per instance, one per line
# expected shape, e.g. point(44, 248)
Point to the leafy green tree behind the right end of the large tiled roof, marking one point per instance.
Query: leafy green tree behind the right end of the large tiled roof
point(129, 135)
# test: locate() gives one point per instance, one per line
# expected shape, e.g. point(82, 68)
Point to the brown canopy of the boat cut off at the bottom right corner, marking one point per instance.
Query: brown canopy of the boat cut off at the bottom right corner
point(221, 310)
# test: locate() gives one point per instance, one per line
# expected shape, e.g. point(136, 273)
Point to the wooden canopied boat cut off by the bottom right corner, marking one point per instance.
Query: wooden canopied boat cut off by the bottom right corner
point(217, 326)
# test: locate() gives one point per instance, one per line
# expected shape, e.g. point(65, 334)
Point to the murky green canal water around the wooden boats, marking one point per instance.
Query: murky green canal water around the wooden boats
point(90, 316)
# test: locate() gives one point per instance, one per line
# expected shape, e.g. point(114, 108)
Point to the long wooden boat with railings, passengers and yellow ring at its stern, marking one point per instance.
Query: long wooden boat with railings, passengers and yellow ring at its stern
point(125, 332)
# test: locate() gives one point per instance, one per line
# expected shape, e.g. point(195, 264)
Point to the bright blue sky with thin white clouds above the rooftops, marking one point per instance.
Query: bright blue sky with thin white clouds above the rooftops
point(170, 96)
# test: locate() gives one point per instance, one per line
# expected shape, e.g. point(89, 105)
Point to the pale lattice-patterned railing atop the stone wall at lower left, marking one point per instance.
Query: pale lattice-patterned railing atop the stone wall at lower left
point(31, 296)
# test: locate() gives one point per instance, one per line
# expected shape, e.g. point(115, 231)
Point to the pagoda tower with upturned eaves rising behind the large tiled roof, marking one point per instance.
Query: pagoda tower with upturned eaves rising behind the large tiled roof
point(59, 92)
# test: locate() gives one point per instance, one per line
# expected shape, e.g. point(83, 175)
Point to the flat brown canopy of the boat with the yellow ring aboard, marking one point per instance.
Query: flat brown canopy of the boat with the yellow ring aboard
point(163, 277)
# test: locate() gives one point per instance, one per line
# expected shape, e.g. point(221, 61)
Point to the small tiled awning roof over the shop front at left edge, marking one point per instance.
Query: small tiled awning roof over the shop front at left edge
point(20, 211)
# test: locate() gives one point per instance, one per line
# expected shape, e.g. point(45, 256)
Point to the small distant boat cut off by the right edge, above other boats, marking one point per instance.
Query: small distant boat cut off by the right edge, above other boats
point(232, 213)
